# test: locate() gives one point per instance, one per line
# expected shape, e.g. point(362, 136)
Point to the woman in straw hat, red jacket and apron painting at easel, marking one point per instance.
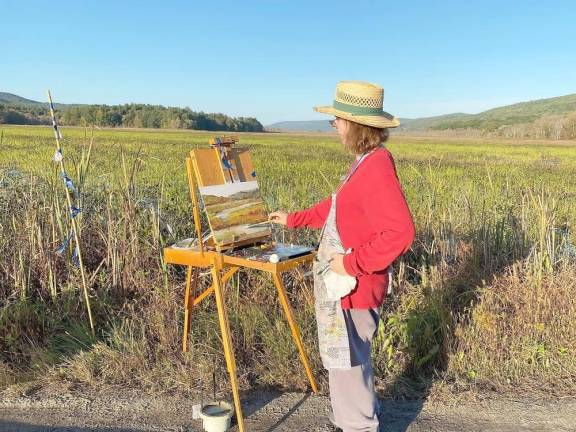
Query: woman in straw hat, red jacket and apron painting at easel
point(366, 225)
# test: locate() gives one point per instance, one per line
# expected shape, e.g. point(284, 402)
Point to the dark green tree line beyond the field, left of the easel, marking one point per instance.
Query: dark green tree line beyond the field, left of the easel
point(130, 115)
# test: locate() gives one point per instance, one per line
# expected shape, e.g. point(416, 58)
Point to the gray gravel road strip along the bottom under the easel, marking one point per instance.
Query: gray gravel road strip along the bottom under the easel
point(268, 411)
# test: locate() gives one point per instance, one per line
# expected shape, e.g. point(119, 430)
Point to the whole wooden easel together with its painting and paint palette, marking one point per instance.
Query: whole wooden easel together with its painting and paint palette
point(240, 239)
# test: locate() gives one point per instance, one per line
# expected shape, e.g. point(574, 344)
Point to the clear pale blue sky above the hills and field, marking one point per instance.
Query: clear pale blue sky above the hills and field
point(275, 59)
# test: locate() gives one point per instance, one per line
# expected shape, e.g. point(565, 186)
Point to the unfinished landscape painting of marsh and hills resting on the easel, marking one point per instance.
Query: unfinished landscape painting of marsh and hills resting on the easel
point(235, 212)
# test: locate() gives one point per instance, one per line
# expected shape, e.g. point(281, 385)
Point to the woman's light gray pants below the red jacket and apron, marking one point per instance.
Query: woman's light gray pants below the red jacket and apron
point(352, 391)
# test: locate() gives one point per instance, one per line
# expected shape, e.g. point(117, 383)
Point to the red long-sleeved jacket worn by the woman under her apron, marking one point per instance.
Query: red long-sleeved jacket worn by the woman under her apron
point(373, 219)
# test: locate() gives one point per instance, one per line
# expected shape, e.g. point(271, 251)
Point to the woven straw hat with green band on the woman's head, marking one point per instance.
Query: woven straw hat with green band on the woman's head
point(360, 102)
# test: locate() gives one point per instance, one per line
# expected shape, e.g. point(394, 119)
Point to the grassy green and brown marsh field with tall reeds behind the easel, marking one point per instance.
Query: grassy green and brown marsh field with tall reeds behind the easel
point(485, 299)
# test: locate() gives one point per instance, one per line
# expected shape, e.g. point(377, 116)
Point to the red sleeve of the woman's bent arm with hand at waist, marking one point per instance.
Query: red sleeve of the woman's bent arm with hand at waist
point(388, 214)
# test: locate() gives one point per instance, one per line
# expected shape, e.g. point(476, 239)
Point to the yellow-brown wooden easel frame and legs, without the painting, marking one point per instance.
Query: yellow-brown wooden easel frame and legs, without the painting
point(222, 266)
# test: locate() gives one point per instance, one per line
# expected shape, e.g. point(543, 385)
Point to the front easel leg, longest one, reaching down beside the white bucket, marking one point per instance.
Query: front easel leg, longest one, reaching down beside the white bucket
point(227, 342)
